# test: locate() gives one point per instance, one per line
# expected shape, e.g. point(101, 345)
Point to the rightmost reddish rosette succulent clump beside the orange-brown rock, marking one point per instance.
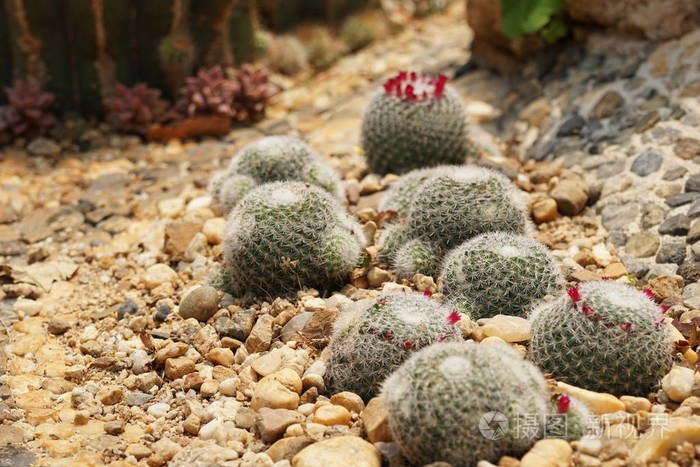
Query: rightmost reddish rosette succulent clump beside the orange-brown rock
point(241, 97)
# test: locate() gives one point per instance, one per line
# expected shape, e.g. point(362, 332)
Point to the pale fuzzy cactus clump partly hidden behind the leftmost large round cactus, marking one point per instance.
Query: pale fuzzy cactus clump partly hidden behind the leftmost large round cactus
point(272, 159)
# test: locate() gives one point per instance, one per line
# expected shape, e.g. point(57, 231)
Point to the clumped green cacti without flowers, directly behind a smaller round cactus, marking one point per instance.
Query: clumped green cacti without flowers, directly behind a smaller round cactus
point(447, 209)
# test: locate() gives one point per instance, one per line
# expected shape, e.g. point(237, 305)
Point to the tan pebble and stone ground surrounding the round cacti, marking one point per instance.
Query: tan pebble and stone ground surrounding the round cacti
point(104, 361)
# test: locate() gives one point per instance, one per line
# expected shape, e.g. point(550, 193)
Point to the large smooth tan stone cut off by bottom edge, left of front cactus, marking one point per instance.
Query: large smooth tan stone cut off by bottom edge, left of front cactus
point(341, 451)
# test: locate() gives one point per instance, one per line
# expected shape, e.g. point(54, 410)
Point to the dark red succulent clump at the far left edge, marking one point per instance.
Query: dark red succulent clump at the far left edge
point(28, 112)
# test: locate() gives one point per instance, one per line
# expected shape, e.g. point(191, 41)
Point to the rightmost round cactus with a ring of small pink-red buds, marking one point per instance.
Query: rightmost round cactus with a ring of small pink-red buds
point(602, 336)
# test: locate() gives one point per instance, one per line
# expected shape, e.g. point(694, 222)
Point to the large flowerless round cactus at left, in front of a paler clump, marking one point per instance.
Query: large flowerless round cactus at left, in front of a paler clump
point(284, 236)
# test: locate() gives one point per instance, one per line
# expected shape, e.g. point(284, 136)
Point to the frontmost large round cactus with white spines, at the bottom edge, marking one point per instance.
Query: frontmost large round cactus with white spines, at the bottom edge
point(465, 402)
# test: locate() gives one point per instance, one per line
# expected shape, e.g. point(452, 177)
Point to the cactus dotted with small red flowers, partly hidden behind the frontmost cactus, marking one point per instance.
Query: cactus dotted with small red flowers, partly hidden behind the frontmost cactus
point(368, 345)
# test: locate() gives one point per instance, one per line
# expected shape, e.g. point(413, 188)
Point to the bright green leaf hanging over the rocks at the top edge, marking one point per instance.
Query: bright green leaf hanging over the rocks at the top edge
point(520, 17)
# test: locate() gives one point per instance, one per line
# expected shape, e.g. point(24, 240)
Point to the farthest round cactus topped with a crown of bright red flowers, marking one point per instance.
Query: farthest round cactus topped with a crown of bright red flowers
point(414, 121)
